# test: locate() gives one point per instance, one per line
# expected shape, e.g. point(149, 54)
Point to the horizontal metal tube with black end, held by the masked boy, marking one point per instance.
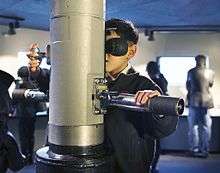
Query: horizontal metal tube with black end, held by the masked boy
point(163, 105)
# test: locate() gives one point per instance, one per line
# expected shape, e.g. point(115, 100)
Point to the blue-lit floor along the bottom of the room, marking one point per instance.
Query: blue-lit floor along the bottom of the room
point(175, 163)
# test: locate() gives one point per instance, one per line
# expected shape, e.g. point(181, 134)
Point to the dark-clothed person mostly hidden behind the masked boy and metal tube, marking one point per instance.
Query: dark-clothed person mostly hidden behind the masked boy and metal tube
point(157, 77)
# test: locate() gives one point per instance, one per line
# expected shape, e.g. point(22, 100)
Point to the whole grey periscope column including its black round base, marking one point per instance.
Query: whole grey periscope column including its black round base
point(77, 58)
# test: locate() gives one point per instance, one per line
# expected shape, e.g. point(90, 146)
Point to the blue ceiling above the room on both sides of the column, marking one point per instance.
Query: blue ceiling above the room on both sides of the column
point(157, 14)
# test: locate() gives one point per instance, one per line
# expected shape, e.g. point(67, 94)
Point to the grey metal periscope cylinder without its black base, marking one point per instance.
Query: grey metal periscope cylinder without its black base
point(77, 37)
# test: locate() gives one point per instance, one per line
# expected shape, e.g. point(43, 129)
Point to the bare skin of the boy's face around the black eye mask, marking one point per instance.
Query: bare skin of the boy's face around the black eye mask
point(115, 64)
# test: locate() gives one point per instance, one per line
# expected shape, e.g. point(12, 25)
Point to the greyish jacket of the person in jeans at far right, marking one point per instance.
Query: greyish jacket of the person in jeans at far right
point(199, 82)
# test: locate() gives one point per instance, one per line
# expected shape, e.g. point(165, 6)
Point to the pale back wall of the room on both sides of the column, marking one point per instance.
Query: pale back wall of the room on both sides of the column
point(165, 44)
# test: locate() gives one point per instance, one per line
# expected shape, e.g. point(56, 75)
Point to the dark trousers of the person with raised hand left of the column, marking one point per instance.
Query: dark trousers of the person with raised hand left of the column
point(26, 134)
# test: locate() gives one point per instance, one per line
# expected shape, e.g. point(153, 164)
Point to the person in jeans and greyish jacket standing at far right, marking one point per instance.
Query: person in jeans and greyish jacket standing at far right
point(199, 81)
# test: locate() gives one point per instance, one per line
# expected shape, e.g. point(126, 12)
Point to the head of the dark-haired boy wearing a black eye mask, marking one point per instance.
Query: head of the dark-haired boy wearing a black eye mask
point(120, 45)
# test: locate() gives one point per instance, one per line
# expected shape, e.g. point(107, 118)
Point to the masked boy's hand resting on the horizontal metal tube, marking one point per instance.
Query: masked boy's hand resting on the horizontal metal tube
point(142, 97)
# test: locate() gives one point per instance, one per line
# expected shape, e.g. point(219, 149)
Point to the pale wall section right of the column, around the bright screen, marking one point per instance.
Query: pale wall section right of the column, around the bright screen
point(182, 44)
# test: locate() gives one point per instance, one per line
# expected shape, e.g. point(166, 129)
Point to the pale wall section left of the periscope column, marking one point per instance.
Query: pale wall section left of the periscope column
point(11, 45)
